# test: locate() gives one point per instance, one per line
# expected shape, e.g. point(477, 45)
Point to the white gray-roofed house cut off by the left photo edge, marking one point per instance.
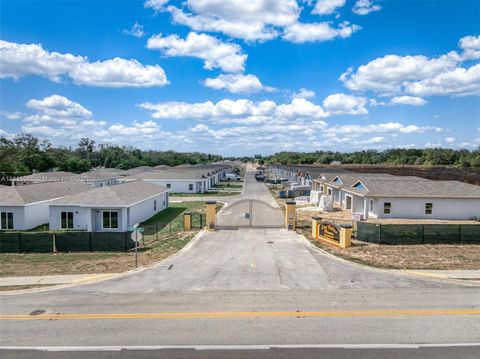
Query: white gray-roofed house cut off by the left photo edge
point(25, 207)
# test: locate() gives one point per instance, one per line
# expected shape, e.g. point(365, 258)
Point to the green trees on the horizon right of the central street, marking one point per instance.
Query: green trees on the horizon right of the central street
point(400, 156)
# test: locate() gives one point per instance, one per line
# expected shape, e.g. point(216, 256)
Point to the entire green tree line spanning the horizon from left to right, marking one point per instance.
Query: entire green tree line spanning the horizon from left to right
point(26, 153)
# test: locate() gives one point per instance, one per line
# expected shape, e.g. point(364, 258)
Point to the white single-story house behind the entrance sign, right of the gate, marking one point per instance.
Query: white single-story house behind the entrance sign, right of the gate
point(374, 195)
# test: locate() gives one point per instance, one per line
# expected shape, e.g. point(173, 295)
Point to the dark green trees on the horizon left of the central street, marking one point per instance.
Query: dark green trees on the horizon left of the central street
point(26, 153)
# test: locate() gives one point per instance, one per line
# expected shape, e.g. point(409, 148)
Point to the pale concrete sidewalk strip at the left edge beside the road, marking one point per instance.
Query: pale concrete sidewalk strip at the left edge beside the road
point(52, 279)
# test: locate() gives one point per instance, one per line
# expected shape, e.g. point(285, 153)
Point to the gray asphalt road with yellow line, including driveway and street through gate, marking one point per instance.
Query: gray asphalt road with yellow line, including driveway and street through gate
point(249, 287)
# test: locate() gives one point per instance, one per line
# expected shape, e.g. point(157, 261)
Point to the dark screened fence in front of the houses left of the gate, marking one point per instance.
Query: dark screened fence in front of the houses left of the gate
point(46, 242)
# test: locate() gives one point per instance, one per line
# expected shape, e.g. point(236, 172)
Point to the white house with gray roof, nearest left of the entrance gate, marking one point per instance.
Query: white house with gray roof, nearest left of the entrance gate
point(111, 208)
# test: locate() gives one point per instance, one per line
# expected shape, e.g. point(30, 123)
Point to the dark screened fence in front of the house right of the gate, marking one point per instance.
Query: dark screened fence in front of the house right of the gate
point(418, 233)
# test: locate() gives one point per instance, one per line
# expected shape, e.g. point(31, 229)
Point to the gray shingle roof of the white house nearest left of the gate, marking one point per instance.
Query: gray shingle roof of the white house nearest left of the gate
point(121, 195)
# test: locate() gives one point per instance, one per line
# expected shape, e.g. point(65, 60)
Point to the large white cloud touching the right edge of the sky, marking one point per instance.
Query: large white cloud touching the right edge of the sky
point(419, 75)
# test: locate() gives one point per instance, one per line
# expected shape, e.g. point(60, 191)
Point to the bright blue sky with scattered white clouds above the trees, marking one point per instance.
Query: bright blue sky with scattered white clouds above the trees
point(224, 77)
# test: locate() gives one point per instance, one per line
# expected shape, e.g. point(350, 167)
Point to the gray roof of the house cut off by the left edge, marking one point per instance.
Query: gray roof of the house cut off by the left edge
point(38, 192)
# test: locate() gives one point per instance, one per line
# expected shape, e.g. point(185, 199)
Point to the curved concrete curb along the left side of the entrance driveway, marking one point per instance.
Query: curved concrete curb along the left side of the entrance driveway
point(93, 279)
